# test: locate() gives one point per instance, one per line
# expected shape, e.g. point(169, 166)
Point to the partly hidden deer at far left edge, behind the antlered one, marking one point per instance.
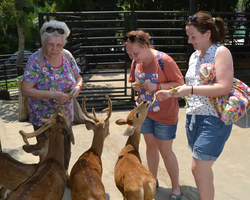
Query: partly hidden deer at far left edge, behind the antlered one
point(13, 172)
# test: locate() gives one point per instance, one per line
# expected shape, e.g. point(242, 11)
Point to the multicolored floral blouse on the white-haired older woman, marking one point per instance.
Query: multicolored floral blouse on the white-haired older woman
point(51, 79)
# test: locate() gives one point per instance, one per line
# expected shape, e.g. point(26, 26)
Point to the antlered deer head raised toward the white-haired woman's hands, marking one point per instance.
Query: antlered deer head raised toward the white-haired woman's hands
point(57, 118)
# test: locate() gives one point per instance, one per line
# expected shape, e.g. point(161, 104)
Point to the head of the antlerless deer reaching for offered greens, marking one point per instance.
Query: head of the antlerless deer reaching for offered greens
point(135, 118)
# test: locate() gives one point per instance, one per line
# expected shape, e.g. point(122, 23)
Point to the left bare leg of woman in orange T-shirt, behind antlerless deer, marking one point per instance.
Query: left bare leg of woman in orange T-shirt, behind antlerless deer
point(152, 153)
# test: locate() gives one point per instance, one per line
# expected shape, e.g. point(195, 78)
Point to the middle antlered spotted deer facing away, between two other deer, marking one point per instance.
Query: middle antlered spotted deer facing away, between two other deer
point(85, 176)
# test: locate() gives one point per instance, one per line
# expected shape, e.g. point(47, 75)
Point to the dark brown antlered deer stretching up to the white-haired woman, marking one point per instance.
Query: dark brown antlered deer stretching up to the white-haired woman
point(49, 181)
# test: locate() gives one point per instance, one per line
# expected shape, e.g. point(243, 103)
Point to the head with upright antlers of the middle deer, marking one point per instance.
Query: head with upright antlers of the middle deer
point(98, 124)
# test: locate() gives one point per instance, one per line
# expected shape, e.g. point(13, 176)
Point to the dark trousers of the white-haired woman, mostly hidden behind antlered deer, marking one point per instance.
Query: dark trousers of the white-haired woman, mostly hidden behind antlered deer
point(67, 147)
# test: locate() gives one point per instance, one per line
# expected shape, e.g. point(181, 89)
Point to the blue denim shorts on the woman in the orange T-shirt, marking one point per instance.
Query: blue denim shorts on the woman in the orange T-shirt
point(160, 131)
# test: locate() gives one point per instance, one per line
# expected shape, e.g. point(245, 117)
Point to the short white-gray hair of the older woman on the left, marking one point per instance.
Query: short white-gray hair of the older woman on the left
point(55, 24)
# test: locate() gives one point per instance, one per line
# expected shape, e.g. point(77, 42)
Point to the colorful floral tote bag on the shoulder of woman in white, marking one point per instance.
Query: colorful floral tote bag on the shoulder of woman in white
point(230, 108)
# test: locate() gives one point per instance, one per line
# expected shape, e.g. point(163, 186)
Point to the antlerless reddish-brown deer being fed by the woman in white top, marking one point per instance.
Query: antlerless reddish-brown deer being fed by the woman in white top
point(132, 178)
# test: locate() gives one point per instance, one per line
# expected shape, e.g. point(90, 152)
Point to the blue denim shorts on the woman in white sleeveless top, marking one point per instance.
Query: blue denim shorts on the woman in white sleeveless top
point(208, 137)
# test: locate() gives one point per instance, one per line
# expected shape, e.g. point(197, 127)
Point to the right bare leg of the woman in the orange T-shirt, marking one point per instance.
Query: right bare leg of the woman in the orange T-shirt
point(171, 163)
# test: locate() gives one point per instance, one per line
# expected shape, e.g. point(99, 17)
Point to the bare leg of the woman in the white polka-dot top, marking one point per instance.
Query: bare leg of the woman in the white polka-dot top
point(203, 175)
